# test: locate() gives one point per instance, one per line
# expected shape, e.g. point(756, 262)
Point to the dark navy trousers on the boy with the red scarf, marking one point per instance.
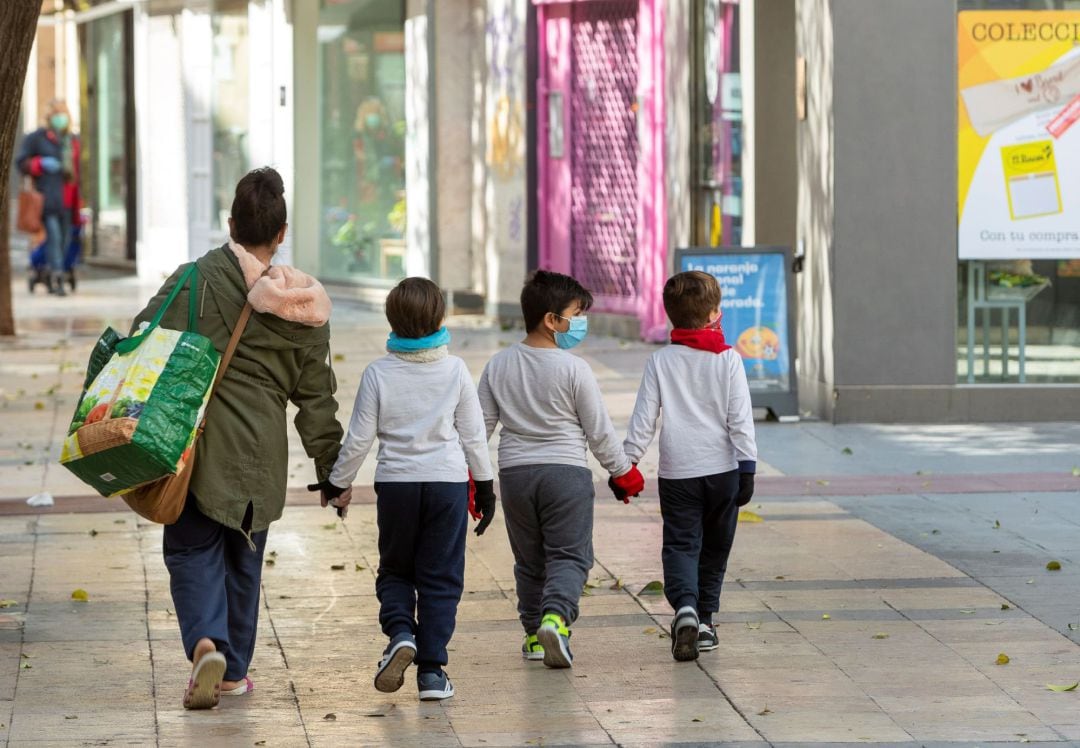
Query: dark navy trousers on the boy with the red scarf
point(700, 519)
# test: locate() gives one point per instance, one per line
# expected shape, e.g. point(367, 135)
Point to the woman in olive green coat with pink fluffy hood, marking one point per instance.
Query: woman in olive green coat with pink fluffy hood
point(214, 552)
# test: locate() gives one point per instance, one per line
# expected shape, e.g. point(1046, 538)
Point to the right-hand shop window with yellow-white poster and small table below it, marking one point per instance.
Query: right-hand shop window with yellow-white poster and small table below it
point(1019, 192)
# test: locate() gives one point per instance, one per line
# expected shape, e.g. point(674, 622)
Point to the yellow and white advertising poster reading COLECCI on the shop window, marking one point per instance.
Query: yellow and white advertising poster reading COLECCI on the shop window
point(1019, 142)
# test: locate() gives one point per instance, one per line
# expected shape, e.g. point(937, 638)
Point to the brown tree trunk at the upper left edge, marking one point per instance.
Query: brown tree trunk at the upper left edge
point(19, 24)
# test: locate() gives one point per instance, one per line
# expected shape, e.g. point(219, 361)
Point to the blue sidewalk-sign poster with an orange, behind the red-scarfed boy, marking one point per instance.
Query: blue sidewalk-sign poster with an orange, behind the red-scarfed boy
point(754, 303)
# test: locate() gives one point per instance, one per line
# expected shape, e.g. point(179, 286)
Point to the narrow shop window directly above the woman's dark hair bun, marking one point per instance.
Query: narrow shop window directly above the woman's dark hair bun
point(229, 105)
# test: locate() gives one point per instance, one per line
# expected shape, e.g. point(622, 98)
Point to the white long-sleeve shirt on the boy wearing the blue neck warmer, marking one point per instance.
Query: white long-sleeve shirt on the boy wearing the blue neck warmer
point(428, 420)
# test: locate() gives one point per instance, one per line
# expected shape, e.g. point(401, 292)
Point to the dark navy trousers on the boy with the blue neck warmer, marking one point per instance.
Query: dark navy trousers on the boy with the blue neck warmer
point(422, 563)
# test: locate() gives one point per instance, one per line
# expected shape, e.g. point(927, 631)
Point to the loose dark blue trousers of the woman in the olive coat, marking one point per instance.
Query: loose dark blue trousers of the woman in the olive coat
point(215, 579)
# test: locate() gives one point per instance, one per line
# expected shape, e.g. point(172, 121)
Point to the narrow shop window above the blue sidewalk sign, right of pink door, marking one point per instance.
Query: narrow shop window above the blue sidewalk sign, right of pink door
point(719, 125)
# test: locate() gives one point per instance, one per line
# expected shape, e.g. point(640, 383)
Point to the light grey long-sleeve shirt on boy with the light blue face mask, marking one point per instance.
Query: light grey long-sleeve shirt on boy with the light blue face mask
point(550, 406)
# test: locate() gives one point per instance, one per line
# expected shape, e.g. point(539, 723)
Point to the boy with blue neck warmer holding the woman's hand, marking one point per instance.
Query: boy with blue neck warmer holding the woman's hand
point(423, 406)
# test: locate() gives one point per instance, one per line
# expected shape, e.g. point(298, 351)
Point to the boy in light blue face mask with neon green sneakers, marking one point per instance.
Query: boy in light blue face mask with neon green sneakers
point(550, 406)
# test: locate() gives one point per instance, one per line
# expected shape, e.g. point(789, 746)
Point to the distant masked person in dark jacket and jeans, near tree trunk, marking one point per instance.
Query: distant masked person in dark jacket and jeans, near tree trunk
point(51, 156)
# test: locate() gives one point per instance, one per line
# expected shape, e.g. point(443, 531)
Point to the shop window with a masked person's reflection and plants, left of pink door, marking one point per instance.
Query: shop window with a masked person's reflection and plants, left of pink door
point(362, 149)
